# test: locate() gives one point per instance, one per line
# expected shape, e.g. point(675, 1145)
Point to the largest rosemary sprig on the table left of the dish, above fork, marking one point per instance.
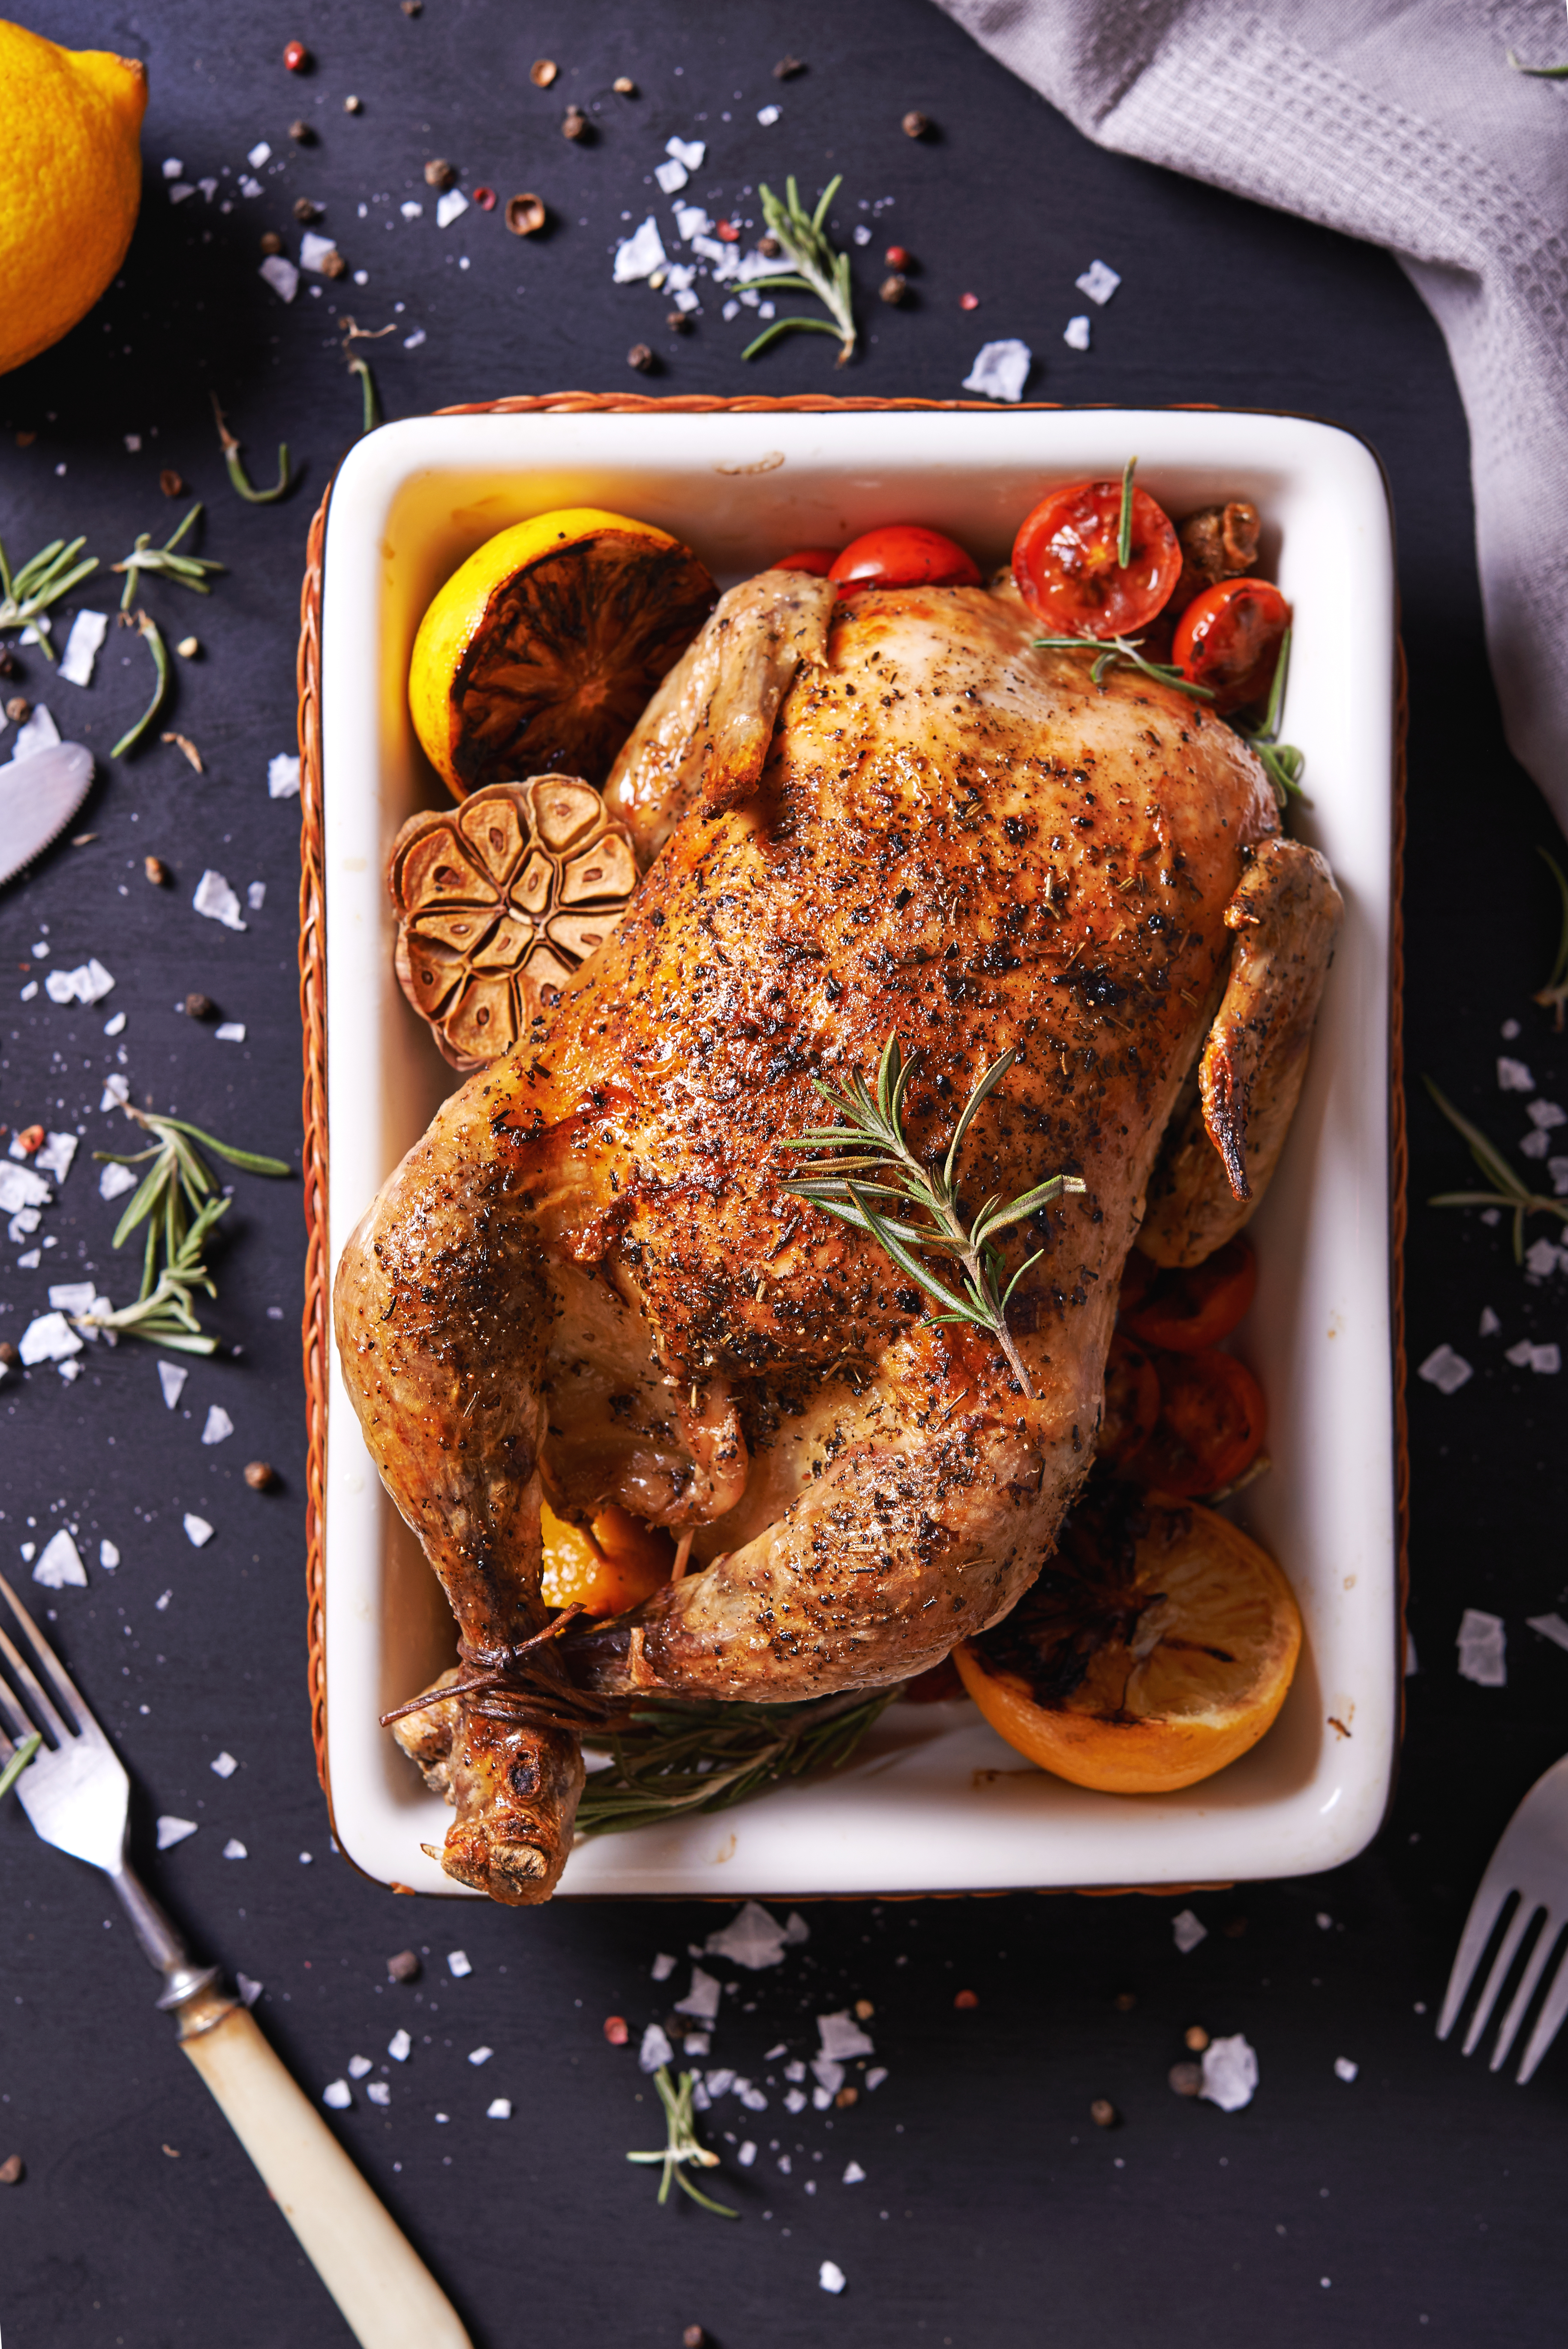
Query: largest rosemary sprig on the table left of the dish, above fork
point(180, 1204)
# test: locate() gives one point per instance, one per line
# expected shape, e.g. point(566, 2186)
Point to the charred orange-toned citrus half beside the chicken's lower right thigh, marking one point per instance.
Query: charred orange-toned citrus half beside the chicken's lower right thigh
point(1156, 1648)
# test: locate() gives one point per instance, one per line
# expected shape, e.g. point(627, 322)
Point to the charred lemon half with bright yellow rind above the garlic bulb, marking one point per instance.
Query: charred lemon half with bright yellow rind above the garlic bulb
point(541, 652)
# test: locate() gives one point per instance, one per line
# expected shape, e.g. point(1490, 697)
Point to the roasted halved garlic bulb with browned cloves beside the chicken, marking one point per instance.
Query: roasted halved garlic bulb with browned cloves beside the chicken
point(501, 903)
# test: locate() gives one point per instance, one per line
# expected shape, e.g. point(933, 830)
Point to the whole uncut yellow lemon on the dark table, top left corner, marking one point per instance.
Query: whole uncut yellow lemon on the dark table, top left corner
point(69, 184)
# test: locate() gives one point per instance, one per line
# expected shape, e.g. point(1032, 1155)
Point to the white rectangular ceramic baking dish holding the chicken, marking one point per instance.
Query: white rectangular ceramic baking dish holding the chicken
point(935, 1803)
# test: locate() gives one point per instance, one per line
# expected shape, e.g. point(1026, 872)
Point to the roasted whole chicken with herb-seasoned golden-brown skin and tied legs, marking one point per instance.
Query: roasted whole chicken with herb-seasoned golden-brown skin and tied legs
point(593, 1284)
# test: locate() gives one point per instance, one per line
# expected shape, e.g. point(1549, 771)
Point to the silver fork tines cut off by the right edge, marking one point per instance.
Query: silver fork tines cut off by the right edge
point(1532, 1862)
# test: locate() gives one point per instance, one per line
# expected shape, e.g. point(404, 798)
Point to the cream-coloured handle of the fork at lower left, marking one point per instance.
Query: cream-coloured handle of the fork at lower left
point(388, 2296)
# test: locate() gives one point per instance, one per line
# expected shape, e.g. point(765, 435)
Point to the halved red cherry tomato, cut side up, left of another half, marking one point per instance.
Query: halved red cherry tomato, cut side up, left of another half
point(1067, 560)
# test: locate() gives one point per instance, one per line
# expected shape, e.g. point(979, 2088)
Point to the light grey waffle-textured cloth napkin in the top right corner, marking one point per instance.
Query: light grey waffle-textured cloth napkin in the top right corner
point(1403, 123)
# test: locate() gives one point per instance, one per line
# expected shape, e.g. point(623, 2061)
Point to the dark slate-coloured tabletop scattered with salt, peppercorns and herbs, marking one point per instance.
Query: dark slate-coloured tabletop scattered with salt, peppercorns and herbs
point(1419, 2205)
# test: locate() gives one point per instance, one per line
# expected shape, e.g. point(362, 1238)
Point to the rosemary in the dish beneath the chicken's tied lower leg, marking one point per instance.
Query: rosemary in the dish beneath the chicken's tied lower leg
point(682, 1758)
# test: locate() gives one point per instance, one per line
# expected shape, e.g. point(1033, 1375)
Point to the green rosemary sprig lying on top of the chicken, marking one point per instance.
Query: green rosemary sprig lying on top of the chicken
point(888, 1171)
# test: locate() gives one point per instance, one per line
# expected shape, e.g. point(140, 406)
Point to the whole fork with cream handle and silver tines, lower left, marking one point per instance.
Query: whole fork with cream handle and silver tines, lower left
point(76, 1793)
